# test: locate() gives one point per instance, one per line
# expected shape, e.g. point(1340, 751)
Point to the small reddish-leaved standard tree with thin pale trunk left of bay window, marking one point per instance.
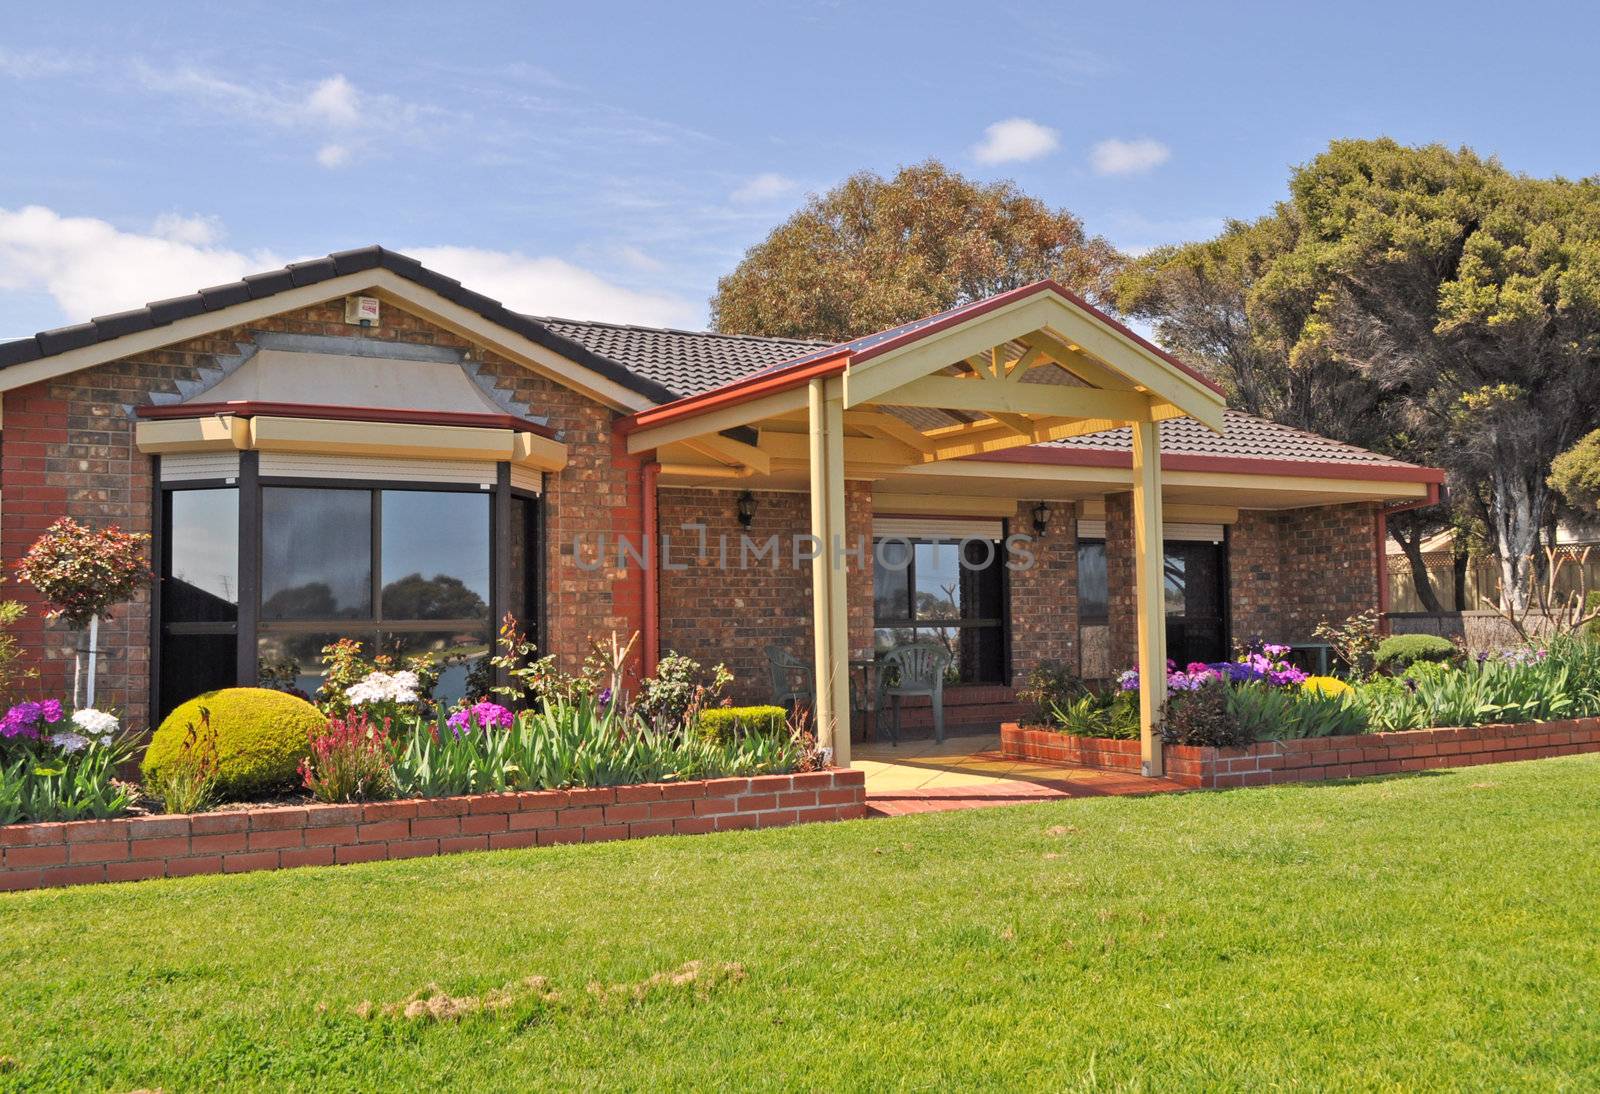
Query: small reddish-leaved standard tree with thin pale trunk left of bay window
point(84, 575)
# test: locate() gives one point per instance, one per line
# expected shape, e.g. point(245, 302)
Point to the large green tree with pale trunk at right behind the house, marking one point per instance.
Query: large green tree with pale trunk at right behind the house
point(1420, 301)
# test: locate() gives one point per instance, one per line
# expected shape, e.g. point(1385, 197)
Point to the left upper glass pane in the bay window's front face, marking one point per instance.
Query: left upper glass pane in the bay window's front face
point(316, 554)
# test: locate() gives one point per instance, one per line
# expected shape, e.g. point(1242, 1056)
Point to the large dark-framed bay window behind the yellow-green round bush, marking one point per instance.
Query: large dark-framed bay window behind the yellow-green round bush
point(401, 570)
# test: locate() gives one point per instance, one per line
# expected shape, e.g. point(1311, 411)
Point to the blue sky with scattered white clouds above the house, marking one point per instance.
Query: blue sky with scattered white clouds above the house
point(610, 161)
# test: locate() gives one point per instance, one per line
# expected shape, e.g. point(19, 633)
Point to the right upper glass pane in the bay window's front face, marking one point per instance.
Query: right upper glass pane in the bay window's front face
point(436, 556)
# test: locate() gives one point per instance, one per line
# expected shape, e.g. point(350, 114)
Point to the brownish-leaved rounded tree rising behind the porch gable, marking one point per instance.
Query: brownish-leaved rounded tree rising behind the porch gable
point(873, 254)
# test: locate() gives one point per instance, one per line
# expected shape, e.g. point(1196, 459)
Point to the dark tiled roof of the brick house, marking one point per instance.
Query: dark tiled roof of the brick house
point(666, 365)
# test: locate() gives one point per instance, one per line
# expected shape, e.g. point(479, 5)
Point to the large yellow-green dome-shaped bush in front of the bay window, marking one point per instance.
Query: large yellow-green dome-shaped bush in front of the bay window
point(262, 738)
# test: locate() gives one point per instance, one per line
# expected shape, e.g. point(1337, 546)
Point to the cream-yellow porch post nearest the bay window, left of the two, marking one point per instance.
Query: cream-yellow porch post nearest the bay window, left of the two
point(830, 607)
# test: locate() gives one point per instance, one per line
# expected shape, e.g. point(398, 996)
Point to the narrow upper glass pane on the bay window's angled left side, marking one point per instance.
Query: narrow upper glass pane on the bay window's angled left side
point(202, 549)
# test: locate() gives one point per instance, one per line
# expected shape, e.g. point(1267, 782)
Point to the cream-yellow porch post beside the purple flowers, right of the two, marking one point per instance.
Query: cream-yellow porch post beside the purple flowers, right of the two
point(1150, 588)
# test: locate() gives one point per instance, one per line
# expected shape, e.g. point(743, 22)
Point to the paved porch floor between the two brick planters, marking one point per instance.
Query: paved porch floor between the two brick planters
point(970, 773)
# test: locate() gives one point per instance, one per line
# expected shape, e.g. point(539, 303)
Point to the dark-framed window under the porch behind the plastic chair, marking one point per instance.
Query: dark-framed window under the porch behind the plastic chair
point(948, 593)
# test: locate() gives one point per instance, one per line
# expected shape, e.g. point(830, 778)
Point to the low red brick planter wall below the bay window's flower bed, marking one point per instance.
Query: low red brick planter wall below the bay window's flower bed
point(135, 848)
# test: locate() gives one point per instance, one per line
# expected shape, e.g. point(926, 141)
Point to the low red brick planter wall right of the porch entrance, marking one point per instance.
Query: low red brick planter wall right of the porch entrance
point(1316, 759)
